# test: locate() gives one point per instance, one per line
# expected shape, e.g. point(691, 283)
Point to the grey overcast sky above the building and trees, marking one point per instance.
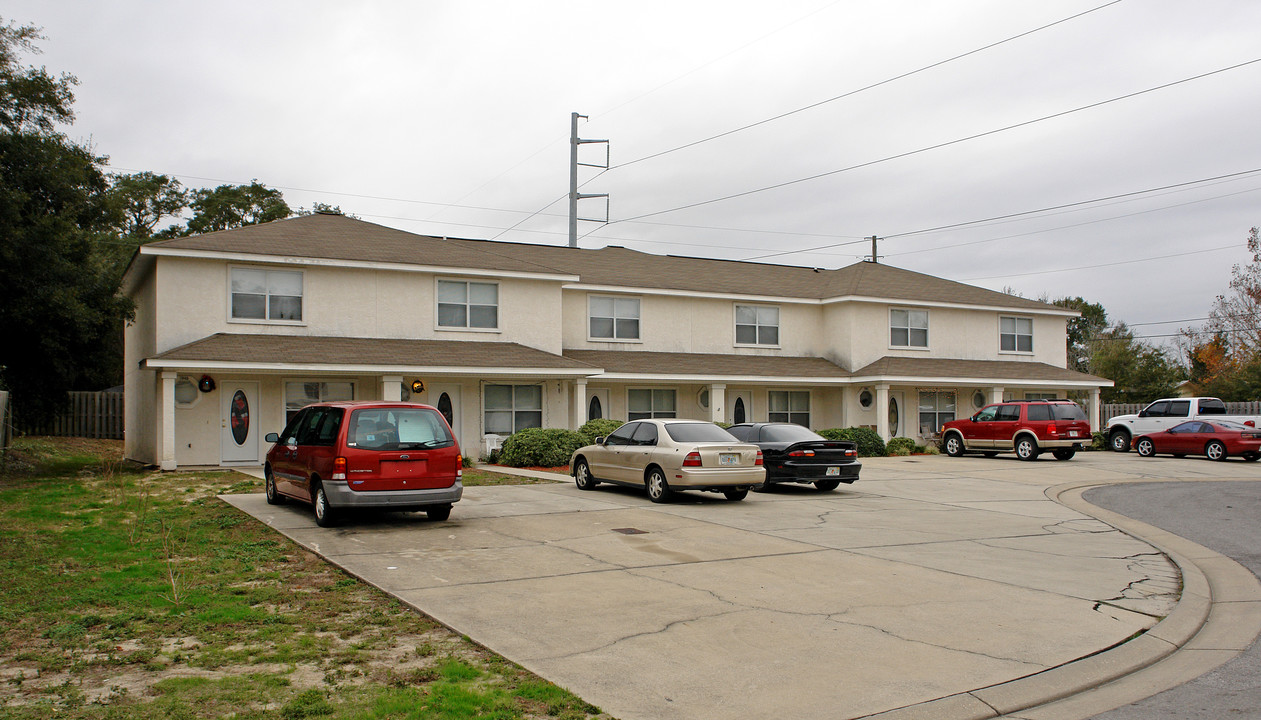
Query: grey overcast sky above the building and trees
point(452, 119)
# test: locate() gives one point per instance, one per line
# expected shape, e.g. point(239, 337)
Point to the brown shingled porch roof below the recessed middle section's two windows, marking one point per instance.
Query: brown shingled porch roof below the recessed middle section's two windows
point(707, 365)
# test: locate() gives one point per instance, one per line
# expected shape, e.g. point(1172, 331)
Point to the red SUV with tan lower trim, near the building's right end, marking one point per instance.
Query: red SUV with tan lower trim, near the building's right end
point(1027, 427)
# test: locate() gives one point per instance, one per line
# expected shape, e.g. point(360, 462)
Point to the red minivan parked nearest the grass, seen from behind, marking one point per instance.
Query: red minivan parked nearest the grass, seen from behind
point(368, 455)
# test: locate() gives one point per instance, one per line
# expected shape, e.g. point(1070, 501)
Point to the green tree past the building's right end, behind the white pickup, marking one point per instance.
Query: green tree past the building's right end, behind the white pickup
point(1142, 373)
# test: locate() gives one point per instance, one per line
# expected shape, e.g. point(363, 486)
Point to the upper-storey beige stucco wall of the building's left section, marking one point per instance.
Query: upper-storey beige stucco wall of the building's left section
point(344, 302)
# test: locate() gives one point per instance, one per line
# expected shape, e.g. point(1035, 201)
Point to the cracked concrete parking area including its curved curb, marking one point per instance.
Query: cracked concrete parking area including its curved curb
point(933, 588)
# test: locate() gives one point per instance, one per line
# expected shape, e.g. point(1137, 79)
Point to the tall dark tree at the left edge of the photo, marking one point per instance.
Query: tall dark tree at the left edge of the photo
point(61, 313)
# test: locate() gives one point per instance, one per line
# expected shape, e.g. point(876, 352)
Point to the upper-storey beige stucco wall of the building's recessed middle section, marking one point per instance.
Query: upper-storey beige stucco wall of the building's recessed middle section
point(680, 325)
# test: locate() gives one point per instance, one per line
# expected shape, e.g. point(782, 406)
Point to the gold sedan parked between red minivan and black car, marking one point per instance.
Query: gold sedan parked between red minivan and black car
point(668, 456)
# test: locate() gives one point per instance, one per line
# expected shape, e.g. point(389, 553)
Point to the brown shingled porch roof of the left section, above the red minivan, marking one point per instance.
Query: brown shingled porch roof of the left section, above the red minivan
point(376, 356)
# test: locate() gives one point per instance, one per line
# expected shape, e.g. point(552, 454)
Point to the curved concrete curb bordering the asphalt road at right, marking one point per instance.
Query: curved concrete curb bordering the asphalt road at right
point(1217, 617)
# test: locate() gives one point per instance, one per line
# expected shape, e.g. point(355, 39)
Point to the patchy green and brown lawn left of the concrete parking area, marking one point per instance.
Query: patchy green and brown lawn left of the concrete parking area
point(129, 593)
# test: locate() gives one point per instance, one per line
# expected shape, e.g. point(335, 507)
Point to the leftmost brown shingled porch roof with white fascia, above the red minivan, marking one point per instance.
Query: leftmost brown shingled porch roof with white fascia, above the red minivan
point(257, 350)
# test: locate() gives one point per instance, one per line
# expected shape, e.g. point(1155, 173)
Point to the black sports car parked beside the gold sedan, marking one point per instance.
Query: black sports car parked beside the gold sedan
point(796, 455)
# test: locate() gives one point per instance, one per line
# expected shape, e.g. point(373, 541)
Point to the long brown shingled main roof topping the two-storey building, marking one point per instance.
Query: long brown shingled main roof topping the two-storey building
point(335, 238)
